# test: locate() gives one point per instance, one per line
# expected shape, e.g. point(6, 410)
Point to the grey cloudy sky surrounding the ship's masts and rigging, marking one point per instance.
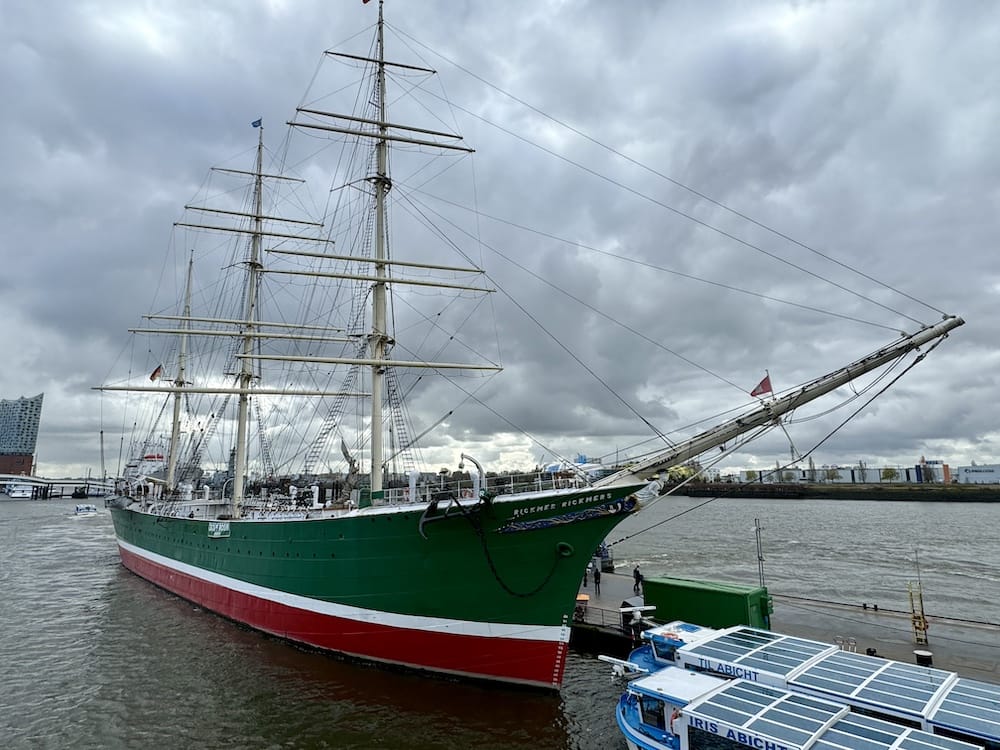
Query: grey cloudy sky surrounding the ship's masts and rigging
point(719, 188)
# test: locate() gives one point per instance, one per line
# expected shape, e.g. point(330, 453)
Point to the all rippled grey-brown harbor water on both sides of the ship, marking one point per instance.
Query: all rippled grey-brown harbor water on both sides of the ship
point(94, 657)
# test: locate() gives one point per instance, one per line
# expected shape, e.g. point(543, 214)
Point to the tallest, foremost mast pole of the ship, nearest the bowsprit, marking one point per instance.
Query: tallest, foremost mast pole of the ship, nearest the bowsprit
point(378, 340)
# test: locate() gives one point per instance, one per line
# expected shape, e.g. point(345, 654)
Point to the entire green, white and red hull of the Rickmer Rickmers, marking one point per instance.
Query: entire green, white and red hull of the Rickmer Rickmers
point(481, 589)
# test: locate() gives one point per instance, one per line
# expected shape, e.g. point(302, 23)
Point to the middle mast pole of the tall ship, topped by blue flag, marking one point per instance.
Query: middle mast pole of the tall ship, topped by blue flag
point(249, 332)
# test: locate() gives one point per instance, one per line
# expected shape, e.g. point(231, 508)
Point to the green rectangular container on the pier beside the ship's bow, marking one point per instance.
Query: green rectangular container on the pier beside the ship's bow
point(713, 604)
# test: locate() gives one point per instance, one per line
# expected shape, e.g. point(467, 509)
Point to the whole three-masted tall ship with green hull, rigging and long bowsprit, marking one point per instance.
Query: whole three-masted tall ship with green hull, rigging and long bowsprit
point(277, 480)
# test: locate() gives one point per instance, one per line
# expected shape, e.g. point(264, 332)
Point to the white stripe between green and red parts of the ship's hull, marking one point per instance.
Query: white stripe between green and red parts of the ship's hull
point(388, 619)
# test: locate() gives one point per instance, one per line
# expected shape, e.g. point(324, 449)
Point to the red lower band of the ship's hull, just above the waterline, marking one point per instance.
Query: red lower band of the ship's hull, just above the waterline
point(520, 661)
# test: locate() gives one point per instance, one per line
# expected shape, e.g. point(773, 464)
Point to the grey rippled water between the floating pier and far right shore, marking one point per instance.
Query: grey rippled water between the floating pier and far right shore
point(838, 550)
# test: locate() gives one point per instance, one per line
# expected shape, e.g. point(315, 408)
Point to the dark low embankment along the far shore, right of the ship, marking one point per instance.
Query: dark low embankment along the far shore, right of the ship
point(961, 493)
